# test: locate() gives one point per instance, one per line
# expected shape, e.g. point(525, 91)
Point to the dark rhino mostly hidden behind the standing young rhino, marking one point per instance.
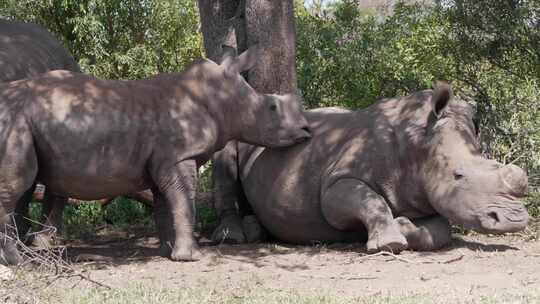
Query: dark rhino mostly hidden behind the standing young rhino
point(28, 50)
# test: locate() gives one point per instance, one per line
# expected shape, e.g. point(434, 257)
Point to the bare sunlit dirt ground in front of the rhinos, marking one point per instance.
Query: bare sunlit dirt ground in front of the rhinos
point(472, 268)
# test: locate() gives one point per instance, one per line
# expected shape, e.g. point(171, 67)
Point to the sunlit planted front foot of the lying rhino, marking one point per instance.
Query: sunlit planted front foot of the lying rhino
point(387, 239)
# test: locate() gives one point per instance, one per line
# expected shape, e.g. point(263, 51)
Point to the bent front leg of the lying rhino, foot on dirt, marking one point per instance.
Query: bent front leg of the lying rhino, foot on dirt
point(349, 204)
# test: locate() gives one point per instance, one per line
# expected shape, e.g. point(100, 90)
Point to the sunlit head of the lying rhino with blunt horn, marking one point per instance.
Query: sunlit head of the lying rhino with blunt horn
point(462, 185)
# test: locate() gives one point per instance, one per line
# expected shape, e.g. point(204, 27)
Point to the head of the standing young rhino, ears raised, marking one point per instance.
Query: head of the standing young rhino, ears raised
point(262, 119)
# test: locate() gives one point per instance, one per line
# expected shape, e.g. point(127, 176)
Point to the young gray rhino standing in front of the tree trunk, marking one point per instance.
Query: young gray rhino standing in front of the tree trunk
point(88, 139)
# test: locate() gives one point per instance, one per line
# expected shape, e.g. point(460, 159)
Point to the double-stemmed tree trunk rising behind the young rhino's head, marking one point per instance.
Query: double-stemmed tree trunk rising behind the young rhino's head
point(242, 23)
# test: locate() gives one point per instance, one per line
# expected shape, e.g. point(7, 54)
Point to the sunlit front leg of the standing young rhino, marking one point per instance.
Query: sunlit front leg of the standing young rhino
point(175, 192)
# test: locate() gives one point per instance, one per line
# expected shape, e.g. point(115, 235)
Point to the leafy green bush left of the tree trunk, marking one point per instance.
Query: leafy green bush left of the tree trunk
point(124, 39)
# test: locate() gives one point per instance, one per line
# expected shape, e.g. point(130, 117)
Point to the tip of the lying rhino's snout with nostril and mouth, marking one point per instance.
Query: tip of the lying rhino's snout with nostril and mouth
point(500, 219)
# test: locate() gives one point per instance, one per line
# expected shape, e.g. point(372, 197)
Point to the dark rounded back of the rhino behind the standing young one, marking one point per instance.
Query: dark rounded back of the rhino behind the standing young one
point(28, 50)
